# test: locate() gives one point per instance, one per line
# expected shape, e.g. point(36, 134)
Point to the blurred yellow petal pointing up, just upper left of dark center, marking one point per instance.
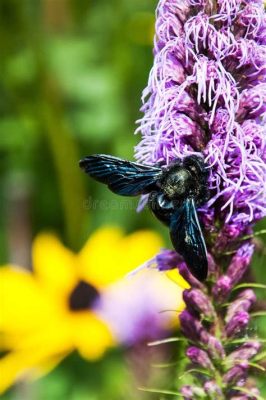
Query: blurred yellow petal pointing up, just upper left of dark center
point(55, 265)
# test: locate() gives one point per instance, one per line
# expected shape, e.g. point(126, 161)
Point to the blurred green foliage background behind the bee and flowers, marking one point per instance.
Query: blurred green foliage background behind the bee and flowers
point(72, 72)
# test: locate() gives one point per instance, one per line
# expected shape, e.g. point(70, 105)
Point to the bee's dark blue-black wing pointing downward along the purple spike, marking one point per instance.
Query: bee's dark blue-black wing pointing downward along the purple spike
point(188, 240)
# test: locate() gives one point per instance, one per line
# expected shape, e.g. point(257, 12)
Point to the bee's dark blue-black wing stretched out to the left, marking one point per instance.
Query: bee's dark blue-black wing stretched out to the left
point(122, 177)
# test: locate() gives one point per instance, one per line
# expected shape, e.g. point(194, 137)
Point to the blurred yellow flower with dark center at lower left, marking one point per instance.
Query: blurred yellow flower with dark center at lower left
point(47, 314)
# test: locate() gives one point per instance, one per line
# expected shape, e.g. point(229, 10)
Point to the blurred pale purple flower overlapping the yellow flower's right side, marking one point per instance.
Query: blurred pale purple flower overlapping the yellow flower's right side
point(142, 307)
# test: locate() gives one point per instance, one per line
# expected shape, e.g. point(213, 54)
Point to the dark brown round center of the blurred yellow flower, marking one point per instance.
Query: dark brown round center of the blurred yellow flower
point(82, 297)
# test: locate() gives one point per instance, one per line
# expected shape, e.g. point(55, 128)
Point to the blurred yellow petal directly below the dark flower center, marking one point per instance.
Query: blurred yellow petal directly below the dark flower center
point(91, 335)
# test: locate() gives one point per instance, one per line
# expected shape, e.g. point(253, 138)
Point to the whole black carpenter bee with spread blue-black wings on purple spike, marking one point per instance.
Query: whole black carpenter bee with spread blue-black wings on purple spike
point(174, 194)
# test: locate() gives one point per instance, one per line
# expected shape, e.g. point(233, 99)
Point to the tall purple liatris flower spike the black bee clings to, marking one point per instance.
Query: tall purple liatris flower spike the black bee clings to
point(207, 95)
